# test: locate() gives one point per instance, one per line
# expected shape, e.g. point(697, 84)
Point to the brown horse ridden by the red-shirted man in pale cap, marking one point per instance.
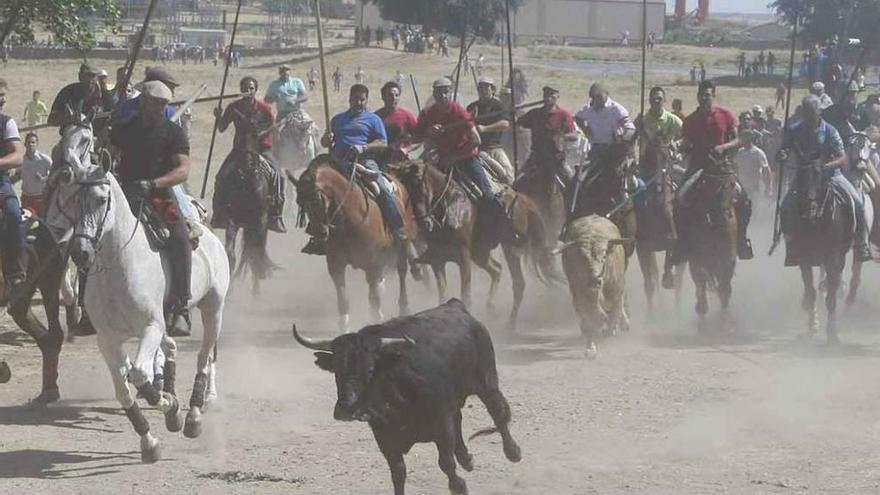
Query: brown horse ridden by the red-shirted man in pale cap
point(448, 220)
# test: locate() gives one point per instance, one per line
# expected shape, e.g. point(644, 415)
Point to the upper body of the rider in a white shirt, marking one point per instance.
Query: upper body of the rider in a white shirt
point(604, 121)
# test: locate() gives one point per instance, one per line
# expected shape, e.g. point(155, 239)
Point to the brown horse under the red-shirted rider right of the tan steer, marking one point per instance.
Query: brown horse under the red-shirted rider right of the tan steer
point(707, 230)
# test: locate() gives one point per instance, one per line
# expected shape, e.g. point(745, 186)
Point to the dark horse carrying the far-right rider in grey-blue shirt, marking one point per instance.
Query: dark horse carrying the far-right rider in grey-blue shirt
point(818, 223)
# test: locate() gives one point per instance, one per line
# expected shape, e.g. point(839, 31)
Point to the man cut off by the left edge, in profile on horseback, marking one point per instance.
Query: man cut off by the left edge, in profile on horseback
point(13, 239)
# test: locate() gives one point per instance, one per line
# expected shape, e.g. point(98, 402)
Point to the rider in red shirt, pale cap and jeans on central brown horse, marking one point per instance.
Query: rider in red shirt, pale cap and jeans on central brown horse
point(450, 131)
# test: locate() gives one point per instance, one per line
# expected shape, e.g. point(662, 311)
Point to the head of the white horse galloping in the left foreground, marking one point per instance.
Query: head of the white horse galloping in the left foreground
point(79, 209)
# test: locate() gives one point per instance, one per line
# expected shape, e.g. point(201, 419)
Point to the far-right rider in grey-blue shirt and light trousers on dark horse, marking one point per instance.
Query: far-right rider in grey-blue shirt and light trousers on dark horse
point(812, 137)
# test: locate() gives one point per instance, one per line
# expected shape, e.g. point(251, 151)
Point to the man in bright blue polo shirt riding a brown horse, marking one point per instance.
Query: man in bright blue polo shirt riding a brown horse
point(353, 133)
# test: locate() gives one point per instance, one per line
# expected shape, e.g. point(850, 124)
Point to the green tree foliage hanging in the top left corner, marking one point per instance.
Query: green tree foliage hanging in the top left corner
point(65, 19)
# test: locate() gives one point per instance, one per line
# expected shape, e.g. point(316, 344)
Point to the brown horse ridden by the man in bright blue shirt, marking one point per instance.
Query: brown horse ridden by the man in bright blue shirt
point(357, 233)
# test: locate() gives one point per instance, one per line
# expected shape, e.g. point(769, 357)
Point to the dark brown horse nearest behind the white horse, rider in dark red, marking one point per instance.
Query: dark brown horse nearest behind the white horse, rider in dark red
point(248, 196)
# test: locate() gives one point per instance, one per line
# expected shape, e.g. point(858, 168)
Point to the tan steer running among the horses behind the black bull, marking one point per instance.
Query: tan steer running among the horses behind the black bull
point(595, 264)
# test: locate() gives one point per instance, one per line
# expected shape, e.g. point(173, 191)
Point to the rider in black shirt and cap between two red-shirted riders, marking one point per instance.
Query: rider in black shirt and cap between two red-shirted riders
point(491, 121)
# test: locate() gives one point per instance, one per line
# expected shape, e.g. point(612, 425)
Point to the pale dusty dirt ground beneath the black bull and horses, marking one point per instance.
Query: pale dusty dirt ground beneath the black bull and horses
point(661, 411)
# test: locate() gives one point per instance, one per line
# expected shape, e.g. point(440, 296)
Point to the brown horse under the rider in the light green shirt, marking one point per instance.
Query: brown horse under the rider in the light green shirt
point(653, 234)
